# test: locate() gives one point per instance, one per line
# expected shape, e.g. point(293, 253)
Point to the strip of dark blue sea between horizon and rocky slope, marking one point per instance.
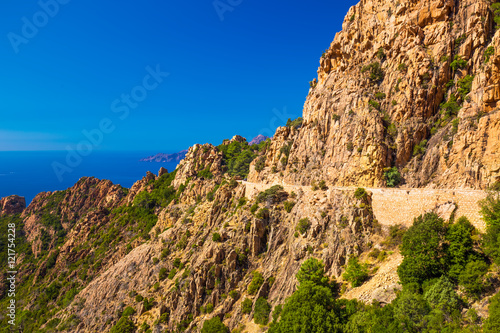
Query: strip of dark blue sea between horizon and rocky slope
point(29, 173)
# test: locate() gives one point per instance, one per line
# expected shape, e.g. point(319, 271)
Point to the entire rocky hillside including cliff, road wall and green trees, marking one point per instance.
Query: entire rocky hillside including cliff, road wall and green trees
point(376, 211)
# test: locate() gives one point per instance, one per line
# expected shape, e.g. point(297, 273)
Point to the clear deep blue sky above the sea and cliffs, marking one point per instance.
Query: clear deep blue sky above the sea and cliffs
point(70, 70)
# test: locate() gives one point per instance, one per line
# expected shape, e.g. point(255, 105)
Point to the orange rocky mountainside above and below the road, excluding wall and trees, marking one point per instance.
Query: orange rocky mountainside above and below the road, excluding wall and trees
point(409, 86)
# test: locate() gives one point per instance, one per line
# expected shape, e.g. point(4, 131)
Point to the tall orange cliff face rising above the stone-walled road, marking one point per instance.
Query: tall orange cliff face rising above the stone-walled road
point(380, 93)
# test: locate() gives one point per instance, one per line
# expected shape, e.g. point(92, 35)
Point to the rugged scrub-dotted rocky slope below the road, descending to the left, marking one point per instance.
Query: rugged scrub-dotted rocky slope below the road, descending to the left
point(205, 243)
